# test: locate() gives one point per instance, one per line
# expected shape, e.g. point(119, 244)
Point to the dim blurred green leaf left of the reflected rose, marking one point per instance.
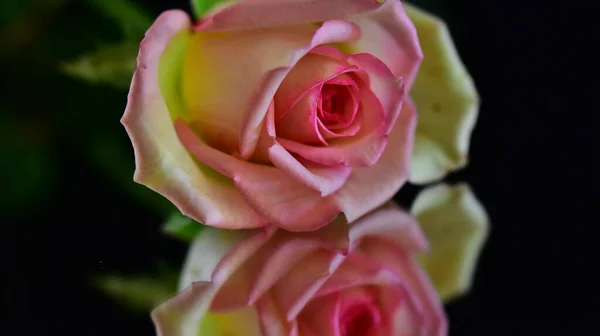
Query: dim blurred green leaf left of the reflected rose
point(139, 294)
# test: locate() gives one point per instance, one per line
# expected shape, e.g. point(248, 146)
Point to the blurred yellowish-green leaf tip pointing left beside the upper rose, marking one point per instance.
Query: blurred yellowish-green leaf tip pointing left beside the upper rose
point(111, 65)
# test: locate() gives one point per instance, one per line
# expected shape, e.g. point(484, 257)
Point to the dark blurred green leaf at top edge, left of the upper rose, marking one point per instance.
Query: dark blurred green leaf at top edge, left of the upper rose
point(133, 20)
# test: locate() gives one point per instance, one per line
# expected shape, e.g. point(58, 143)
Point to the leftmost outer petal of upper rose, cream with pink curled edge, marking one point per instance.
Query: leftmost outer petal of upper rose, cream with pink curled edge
point(162, 163)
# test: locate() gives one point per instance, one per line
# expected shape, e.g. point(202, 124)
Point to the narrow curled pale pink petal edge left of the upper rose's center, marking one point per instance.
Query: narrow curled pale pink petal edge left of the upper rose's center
point(329, 32)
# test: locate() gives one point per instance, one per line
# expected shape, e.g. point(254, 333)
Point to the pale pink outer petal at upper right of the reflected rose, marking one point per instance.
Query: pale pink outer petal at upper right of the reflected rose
point(392, 224)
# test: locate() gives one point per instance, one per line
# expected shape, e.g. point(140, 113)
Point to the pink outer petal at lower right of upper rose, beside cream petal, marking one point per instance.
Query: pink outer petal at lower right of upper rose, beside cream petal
point(368, 188)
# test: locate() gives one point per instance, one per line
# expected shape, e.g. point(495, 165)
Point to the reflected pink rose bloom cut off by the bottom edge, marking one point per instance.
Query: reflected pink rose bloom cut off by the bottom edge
point(341, 280)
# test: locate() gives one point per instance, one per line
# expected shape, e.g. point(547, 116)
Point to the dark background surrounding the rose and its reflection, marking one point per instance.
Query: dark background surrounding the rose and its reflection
point(66, 216)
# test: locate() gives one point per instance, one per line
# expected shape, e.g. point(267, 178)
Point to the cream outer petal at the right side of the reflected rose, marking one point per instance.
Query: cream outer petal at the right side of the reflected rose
point(456, 225)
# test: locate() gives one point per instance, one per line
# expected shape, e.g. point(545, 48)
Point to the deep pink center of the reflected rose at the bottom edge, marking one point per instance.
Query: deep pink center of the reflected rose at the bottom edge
point(358, 320)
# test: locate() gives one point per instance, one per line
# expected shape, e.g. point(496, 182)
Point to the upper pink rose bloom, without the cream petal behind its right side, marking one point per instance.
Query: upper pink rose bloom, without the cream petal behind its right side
point(280, 112)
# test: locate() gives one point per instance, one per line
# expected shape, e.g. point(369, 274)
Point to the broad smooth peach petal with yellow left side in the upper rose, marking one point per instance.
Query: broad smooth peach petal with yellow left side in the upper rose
point(227, 77)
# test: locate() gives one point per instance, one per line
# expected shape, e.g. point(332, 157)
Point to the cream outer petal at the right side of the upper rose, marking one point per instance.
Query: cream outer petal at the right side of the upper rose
point(447, 102)
